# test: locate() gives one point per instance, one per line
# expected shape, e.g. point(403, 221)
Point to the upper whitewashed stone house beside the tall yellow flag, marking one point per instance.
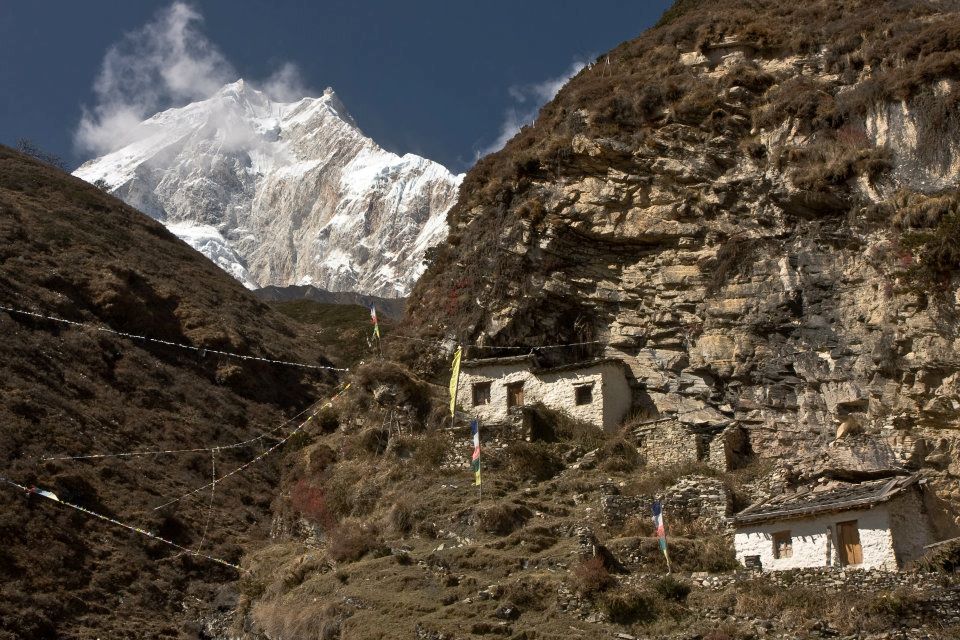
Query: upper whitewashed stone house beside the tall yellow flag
point(596, 391)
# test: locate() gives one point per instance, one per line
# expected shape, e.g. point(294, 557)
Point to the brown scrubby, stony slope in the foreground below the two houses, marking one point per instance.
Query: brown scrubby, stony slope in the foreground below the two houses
point(560, 544)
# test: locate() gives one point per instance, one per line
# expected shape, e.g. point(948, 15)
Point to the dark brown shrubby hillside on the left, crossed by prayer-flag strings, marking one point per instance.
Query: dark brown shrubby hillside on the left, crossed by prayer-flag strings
point(70, 251)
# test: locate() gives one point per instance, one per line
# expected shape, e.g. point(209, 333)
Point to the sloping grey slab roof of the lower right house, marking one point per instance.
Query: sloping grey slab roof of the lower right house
point(810, 502)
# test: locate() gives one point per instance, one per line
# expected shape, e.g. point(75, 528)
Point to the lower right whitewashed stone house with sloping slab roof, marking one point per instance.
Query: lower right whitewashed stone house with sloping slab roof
point(879, 524)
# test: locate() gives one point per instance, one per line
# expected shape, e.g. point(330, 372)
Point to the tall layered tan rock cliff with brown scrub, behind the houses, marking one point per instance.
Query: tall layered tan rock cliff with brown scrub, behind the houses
point(759, 227)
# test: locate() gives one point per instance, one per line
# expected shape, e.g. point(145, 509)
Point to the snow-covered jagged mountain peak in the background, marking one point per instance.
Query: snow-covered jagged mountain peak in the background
point(284, 193)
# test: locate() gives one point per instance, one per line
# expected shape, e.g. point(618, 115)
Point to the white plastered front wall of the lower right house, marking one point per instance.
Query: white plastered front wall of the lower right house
point(814, 540)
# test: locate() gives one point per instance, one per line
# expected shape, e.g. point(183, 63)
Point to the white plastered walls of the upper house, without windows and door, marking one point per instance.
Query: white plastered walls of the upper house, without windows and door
point(611, 392)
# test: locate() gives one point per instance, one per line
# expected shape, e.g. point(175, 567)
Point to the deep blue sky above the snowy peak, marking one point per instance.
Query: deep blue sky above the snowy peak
point(440, 79)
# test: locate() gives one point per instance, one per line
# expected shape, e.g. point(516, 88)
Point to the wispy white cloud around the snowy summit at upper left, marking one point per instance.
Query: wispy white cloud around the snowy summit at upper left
point(167, 62)
